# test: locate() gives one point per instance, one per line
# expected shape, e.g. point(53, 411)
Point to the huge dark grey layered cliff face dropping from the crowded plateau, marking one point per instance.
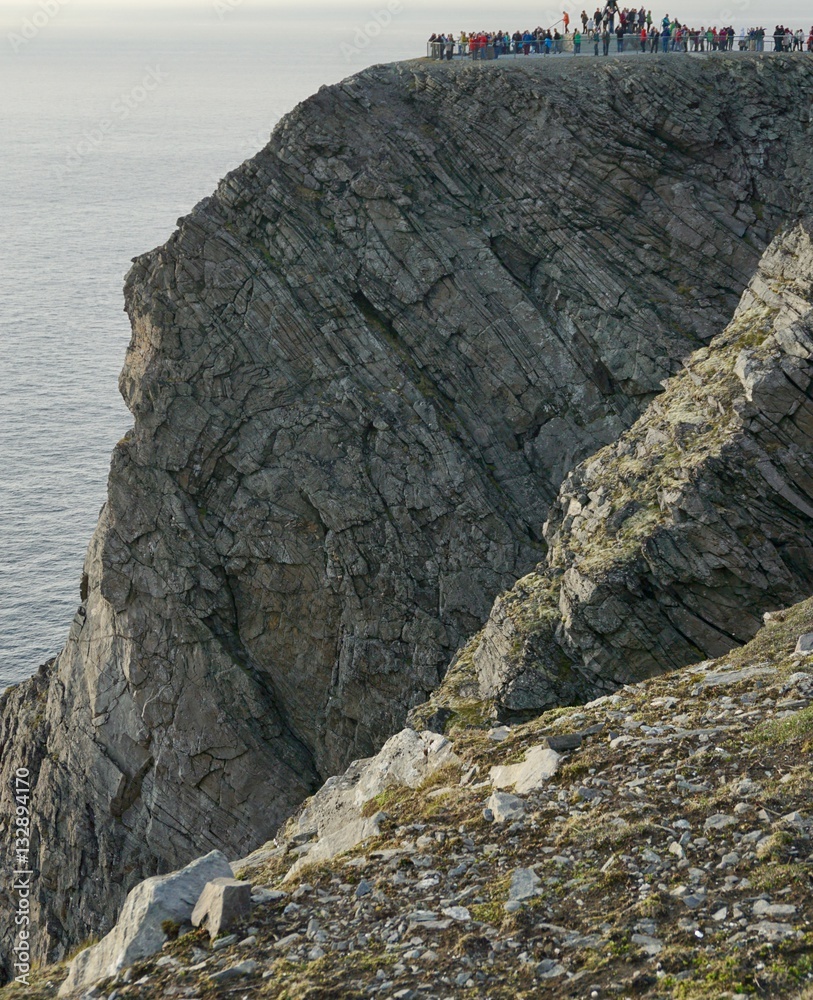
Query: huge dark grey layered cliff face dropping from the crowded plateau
point(358, 375)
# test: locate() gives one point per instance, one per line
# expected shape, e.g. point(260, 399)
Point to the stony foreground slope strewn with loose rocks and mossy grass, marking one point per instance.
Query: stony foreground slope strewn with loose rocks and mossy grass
point(668, 856)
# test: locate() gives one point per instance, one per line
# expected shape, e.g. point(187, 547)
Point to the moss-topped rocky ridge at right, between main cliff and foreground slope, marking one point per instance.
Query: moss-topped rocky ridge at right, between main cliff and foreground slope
point(668, 545)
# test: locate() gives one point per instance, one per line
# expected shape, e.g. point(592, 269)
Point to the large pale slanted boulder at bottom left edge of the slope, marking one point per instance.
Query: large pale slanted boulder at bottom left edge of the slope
point(139, 932)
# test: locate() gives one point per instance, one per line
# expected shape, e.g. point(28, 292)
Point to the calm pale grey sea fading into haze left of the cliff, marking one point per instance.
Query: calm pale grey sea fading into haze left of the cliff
point(86, 187)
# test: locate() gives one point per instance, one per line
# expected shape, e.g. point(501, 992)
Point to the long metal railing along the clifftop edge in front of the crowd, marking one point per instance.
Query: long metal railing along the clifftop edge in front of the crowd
point(593, 44)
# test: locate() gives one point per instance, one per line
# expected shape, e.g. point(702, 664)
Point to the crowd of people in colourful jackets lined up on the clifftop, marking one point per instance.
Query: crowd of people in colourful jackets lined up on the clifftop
point(630, 29)
